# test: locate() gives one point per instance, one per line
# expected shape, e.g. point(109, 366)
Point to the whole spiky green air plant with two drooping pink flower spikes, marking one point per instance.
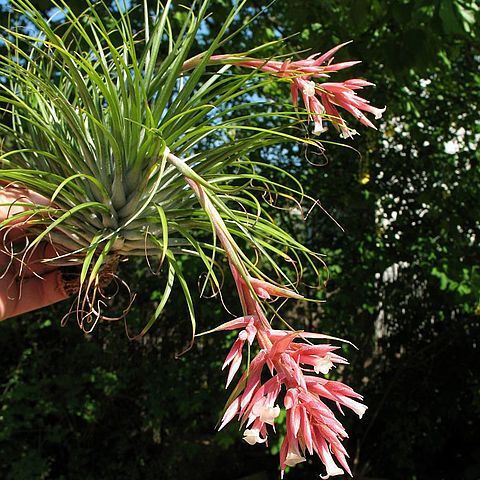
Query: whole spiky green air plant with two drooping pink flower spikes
point(127, 136)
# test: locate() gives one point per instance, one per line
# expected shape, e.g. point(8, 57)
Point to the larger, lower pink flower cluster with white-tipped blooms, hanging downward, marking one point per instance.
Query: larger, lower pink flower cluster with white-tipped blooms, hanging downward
point(294, 365)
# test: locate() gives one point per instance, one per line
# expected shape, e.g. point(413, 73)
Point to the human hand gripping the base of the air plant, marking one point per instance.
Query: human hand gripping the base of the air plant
point(27, 280)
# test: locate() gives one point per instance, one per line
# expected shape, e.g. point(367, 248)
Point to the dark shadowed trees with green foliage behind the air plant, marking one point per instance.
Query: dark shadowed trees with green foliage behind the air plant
point(404, 283)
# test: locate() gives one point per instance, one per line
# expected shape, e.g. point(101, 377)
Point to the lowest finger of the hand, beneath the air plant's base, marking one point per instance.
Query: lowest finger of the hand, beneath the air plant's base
point(21, 296)
